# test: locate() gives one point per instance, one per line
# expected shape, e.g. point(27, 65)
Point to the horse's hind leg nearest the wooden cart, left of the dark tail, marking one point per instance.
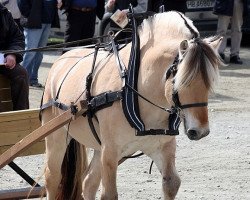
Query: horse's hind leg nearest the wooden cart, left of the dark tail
point(55, 151)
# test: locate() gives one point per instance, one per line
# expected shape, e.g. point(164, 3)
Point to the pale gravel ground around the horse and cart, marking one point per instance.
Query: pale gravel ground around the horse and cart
point(216, 167)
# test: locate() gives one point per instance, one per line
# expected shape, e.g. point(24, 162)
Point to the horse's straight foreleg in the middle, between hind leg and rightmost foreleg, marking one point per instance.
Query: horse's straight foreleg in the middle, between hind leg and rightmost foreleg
point(109, 169)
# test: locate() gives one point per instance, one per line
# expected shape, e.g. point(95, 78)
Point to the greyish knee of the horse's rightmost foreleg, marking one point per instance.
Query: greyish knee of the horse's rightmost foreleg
point(171, 184)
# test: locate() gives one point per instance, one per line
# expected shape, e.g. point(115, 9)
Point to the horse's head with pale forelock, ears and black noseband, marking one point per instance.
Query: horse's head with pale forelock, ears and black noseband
point(195, 78)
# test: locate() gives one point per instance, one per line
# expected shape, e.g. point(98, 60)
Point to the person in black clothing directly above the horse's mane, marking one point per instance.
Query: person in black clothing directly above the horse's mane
point(177, 5)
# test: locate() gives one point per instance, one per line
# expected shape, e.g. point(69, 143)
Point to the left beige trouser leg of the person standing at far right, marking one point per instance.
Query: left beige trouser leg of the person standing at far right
point(222, 26)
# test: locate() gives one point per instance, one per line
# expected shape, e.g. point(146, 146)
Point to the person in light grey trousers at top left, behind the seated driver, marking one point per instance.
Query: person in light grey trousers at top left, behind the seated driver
point(12, 6)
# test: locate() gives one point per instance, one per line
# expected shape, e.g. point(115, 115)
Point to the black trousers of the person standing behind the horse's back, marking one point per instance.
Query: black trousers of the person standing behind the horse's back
point(80, 25)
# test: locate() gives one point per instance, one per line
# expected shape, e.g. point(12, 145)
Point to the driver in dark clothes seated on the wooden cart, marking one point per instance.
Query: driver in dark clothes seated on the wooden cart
point(11, 38)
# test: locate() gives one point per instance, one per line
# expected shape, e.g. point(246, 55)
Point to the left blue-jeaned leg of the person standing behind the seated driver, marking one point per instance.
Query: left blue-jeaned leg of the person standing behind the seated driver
point(32, 37)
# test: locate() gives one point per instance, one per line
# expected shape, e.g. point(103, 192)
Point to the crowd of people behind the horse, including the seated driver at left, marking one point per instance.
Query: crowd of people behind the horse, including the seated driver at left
point(26, 24)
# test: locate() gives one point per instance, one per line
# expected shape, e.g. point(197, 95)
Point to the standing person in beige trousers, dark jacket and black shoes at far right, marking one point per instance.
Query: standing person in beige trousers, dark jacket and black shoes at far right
point(231, 10)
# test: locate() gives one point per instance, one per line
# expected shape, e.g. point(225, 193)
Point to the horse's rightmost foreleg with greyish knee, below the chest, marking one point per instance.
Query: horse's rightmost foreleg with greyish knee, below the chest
point(165, 161)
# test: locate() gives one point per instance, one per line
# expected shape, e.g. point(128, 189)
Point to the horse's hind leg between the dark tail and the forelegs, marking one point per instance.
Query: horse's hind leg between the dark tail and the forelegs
point(92, 177)
